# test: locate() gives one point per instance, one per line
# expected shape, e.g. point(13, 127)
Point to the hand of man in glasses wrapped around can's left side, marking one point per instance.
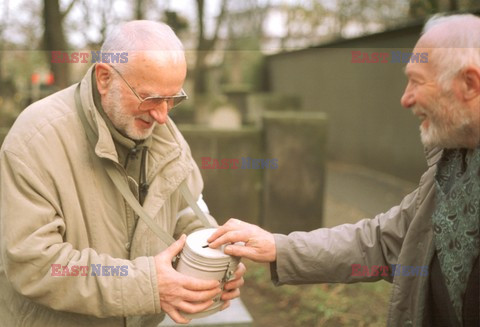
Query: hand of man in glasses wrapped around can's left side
point(179, 292)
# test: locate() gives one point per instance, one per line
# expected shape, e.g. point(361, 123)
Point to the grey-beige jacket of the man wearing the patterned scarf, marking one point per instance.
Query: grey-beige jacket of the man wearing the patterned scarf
point(403, 236)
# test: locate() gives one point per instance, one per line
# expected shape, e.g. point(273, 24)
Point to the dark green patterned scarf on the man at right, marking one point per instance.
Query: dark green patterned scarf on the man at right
point(456, 219)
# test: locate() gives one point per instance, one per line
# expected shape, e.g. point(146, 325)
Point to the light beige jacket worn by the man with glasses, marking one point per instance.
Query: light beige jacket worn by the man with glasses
point(58, 206)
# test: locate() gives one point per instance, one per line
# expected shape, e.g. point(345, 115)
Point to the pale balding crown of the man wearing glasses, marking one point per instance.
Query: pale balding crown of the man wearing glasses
point(144, 36)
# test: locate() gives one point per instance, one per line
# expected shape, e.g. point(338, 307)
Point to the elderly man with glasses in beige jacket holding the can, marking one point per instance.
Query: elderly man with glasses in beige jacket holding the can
point(73, 249)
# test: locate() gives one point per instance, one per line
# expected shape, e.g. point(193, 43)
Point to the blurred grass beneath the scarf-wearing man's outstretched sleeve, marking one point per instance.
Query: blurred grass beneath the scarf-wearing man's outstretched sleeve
point(361, 304)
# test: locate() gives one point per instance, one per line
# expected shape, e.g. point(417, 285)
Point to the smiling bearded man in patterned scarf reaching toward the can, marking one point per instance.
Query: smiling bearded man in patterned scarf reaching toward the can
point(428, 246)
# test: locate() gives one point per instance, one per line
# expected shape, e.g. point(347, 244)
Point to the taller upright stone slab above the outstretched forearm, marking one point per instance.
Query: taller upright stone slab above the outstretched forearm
point(293, 193)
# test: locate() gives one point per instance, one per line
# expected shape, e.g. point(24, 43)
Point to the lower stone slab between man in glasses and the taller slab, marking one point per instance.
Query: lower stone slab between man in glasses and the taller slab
point(228, 192)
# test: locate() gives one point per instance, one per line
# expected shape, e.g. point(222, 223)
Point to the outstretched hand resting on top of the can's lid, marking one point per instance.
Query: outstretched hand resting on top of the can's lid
point(259, 244)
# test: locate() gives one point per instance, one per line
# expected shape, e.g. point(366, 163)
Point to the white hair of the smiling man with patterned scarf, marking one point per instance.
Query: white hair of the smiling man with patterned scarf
point(457, 46)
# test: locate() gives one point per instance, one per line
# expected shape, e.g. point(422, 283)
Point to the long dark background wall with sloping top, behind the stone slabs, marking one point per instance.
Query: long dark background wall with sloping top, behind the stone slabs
point(367, 124)
